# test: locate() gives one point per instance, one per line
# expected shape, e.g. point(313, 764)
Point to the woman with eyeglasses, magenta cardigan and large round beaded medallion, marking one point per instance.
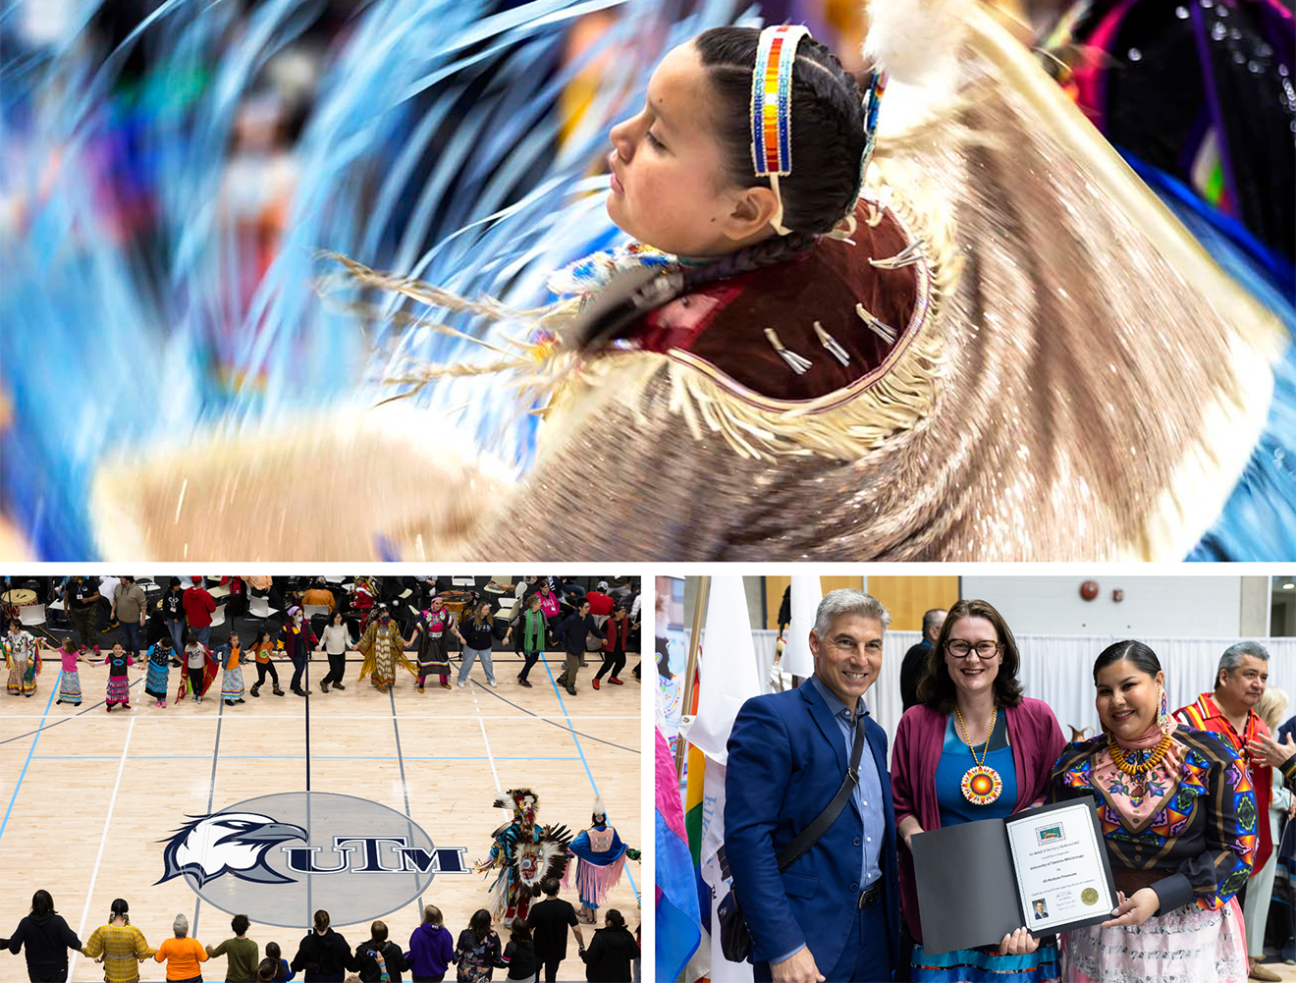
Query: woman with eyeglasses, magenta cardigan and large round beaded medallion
point(973, 749)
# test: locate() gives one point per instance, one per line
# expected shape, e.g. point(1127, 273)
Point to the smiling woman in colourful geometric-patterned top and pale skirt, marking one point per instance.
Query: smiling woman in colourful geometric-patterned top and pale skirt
point(1180, 823)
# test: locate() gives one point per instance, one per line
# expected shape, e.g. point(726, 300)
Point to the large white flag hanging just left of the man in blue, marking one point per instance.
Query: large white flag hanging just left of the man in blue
point(729, 678)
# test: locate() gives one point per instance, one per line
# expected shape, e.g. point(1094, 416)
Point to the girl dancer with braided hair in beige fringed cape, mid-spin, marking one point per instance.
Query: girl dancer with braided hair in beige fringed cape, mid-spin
point(925, 352)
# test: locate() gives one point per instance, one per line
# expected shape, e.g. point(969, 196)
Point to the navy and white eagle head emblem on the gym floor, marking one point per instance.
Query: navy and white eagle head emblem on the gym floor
point(229, 844)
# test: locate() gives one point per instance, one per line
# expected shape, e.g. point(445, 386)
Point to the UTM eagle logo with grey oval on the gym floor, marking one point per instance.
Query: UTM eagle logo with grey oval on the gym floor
point(281, 858)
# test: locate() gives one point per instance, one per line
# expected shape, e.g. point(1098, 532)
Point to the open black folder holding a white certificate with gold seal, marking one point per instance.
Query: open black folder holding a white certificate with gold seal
point(1045, 870)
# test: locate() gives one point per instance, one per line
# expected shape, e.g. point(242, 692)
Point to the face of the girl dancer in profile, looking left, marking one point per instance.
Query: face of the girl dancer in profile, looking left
point(671, 187)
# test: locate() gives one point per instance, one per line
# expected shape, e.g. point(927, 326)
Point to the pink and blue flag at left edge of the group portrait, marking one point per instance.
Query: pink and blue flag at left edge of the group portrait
point(678, 921)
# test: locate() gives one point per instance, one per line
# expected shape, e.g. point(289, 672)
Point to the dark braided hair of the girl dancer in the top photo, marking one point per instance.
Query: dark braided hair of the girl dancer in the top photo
point(829, 138)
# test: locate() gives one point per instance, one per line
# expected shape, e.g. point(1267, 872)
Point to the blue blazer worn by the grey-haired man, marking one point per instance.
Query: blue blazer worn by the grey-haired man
point(787, 758)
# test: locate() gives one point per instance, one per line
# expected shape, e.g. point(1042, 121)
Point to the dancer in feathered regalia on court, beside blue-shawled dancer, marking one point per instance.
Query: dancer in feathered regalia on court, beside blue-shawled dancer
point(524, 854)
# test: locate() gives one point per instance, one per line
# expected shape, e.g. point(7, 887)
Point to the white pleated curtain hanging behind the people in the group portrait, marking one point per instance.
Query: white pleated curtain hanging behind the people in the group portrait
point(1058, 670)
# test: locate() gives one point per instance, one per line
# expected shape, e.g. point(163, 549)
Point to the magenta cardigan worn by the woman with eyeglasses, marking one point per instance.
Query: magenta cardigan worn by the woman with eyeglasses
point(1037, 744)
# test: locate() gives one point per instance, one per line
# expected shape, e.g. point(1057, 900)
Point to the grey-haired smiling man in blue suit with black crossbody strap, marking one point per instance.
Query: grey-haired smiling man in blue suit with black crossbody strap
point(834, 916)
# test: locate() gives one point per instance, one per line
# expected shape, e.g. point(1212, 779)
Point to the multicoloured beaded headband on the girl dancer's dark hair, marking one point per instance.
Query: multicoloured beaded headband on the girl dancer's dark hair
point(772, 108)
